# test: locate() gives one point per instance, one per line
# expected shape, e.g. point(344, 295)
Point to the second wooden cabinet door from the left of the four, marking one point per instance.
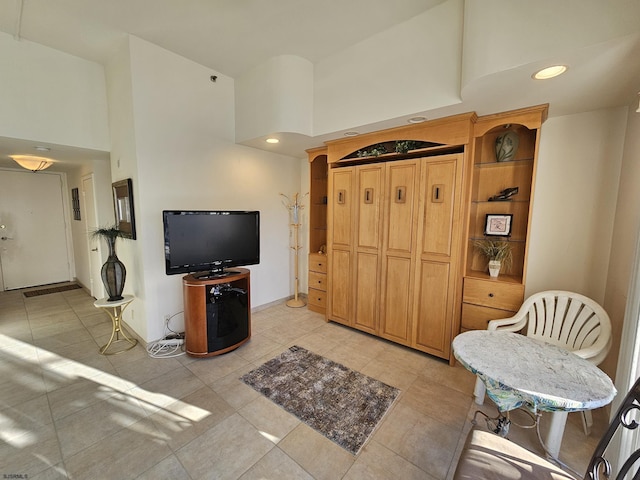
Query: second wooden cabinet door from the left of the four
point(367, 246)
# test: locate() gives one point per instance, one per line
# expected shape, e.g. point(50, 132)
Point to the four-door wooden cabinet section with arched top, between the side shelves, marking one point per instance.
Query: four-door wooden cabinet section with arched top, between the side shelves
point(394, 232)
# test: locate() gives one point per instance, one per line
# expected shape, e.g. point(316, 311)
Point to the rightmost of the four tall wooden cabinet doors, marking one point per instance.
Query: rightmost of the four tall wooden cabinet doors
point(436, 276)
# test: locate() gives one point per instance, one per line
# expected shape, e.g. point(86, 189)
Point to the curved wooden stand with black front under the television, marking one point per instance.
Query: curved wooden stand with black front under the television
point(217, 312)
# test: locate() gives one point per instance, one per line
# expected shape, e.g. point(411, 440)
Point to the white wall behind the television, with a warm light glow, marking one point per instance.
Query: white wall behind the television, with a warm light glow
point(184, 158)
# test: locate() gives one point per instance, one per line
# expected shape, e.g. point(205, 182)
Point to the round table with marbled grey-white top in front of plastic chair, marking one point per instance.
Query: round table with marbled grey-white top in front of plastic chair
point(520, 371)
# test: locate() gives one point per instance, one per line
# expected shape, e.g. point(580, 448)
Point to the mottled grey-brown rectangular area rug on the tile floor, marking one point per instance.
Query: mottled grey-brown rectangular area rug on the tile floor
point(342, 404)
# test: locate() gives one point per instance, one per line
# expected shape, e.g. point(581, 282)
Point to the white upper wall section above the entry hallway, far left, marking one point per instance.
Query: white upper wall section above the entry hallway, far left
point(49, 96)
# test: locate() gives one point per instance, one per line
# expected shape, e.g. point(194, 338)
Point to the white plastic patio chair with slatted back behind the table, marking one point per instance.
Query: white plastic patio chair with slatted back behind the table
point(566, 319)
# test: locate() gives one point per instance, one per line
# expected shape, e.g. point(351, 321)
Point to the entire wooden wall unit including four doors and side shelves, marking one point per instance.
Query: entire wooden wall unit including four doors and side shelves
point(403, 207)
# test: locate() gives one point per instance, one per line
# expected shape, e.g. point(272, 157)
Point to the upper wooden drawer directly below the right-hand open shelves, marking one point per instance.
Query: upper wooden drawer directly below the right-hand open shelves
point(493, 294)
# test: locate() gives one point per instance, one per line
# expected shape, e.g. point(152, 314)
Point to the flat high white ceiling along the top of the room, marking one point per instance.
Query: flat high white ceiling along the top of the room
point(229, 36)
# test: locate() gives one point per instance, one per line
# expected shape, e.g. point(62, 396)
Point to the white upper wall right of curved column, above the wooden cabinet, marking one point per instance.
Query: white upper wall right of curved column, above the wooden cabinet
point(408, 68)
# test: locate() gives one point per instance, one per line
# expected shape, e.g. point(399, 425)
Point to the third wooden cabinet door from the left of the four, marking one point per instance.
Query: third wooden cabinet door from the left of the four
point(399, 249)
